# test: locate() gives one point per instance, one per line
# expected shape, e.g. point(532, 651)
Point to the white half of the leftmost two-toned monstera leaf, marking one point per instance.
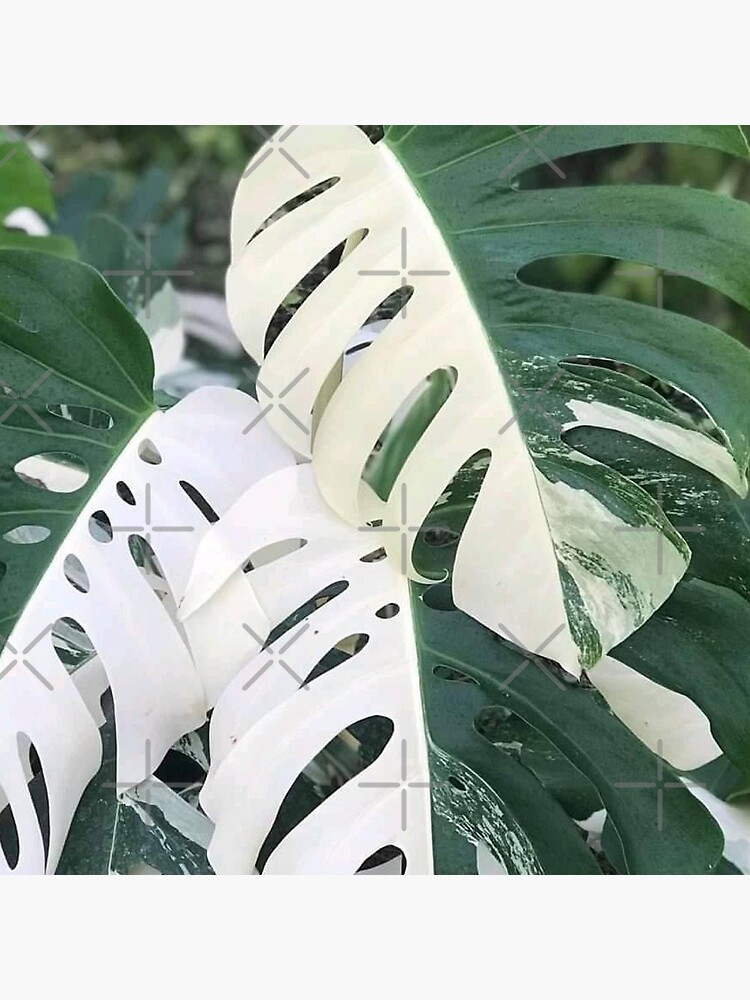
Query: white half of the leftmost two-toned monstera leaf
point(180, 466)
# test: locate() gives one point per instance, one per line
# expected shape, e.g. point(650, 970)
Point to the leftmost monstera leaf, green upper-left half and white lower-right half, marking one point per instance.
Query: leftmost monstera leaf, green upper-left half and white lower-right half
point(102, 503)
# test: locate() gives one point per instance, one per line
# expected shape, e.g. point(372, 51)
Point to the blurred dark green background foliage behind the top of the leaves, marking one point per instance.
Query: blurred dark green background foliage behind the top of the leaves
point(178, 183)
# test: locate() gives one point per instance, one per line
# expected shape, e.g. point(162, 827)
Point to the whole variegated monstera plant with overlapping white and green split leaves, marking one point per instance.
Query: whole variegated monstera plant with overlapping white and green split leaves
point(465, 591)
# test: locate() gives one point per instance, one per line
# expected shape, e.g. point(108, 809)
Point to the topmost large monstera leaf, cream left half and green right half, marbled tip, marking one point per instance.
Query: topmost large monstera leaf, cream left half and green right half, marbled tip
point(563, 550)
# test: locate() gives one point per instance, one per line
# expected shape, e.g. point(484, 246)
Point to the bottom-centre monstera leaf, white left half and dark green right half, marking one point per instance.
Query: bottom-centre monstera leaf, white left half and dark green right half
point(487, 759)
